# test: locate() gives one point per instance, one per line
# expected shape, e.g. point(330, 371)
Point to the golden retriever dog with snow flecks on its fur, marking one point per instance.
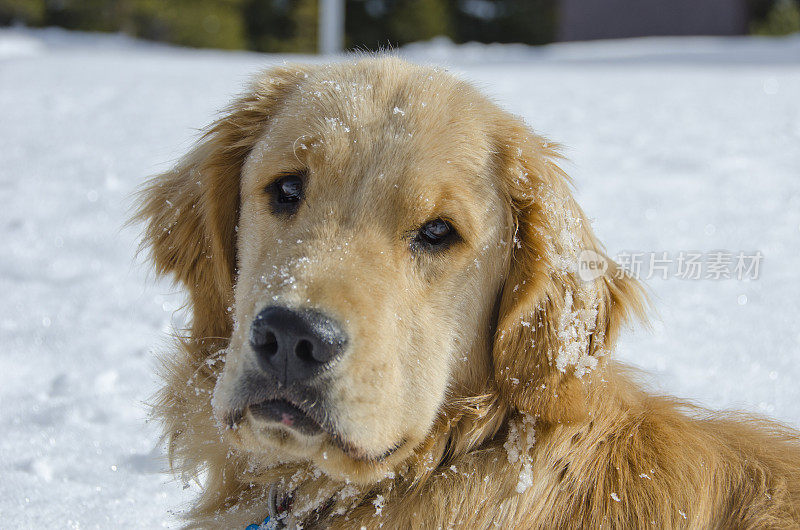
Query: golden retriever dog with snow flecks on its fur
point(388, 329)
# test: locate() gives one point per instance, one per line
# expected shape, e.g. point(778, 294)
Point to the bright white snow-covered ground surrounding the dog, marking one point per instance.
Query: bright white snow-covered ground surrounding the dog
point(675, 145)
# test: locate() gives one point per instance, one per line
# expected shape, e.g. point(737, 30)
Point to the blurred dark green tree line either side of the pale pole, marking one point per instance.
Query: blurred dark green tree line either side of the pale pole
point(291, 25)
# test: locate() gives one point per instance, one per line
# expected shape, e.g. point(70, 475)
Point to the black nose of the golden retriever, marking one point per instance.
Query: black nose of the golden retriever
point(294, 345)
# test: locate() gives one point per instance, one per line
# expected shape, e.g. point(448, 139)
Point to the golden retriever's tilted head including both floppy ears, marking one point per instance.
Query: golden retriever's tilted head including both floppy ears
point(375, 238)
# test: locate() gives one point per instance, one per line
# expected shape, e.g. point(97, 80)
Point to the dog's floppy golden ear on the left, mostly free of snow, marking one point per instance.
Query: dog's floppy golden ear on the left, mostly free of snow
point(191, 211)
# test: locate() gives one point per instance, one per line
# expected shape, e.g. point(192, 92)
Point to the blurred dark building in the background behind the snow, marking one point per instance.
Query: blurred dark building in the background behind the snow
point(613, 19)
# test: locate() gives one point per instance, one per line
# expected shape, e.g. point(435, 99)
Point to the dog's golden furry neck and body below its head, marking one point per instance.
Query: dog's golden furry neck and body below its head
point(480, 449)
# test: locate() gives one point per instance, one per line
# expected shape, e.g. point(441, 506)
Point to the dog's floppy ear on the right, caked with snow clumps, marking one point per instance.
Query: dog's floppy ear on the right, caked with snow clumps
point(553, 327)
